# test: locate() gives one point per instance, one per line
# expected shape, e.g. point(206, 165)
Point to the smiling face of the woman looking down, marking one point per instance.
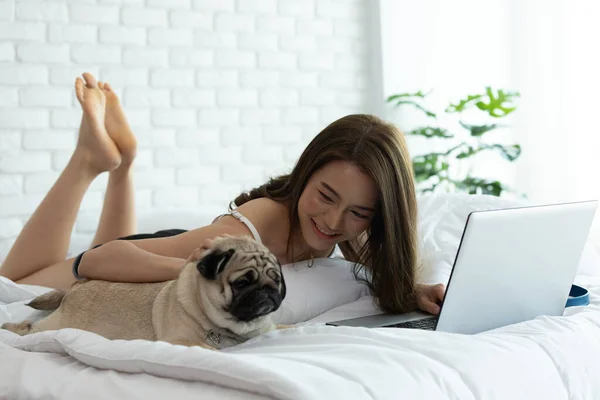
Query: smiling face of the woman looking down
point(337, 204)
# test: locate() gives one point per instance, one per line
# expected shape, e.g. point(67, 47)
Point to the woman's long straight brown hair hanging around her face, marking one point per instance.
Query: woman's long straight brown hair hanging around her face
point(389, 247)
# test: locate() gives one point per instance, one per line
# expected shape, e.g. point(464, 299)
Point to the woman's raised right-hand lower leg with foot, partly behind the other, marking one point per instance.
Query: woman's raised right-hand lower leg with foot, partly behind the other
point(118, 211)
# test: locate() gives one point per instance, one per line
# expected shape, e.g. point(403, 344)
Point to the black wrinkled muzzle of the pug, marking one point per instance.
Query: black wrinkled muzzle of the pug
point(253, 304)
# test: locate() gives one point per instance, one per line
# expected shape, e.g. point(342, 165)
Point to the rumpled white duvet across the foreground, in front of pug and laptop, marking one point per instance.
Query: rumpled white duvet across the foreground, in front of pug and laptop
point(547, 358)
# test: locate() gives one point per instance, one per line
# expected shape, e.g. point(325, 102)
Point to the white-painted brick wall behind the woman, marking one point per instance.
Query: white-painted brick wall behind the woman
point(220, 93)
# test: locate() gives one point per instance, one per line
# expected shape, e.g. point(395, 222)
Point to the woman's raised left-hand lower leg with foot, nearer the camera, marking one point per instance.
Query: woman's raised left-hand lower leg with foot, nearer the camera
point(45, 238)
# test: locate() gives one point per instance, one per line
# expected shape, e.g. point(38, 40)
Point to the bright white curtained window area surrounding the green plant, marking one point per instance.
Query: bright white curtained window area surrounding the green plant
point(548, 50)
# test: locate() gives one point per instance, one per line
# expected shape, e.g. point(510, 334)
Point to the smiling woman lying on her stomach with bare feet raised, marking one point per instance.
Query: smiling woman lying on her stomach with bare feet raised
point(353, 187)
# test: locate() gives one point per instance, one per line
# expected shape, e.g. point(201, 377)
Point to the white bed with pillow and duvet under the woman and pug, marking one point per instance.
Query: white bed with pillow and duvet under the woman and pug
point(546, 358)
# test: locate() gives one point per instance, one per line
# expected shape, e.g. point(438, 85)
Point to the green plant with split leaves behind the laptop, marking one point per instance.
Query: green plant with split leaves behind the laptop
point(435, 170)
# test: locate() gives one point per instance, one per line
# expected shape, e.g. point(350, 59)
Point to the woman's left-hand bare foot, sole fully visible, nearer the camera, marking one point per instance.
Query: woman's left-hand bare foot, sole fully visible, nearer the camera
point(94, 145)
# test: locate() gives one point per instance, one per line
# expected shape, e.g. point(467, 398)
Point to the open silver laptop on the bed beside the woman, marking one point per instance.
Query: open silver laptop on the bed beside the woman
point(512, 265)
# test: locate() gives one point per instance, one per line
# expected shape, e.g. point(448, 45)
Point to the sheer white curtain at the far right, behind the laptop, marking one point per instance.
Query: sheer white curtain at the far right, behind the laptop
point(557, 68)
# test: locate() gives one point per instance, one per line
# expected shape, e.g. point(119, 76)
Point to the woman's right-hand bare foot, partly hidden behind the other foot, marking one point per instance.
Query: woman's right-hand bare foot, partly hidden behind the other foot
point(117, 126)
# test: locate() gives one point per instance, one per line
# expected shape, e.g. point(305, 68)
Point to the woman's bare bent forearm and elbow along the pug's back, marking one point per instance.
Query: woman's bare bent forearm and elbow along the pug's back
point(122, 261)
